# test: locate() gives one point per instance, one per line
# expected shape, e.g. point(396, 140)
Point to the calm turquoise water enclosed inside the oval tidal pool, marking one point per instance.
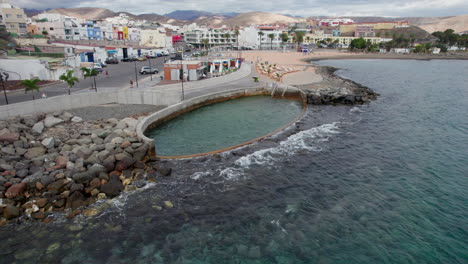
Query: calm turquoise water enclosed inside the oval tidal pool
point(223, 125)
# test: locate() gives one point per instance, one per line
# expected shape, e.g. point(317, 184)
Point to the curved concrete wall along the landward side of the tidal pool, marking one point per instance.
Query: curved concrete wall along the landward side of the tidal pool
point(171, 112)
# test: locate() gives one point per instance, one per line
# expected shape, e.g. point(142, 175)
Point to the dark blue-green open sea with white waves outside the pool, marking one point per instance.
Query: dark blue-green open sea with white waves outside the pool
point(380, 183)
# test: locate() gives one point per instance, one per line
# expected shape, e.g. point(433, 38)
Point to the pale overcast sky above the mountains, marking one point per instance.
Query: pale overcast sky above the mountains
point(293, 7)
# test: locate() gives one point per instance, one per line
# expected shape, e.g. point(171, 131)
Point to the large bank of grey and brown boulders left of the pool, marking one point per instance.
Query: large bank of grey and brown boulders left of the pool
point(60, 163)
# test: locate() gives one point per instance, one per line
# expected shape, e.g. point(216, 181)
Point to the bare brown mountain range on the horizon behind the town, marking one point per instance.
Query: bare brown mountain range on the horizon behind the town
point(181, 17)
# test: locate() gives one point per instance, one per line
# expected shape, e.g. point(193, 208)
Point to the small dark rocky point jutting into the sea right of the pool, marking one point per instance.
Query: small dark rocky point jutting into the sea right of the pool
point(334, 90)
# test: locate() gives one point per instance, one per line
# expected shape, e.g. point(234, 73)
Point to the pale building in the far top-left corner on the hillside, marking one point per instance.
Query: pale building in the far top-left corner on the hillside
point(12, 18)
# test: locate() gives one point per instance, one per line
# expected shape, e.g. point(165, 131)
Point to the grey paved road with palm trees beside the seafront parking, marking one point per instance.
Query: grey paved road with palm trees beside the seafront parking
point(119, 77)
